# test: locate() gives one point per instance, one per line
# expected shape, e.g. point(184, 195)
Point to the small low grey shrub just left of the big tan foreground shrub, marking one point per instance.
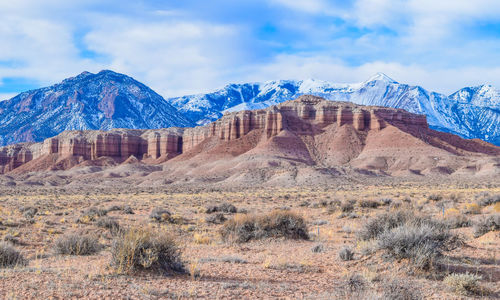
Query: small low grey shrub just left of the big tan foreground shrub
point(76, 244)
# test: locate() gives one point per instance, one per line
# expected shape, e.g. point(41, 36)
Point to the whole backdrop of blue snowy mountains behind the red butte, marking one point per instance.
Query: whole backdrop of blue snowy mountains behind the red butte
point(109, 100)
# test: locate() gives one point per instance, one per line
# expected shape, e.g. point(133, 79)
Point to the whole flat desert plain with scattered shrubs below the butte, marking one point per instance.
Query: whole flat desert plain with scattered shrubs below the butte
point(348, 242)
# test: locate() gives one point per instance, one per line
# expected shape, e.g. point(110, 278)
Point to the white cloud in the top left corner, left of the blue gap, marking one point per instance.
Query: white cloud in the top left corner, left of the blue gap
point(36, 46)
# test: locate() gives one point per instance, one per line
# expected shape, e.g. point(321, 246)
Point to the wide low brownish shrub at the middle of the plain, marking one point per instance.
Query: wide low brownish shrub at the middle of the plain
point(243, 228)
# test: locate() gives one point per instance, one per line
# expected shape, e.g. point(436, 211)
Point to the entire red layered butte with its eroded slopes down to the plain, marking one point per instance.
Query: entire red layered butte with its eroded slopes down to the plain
point(303, 141)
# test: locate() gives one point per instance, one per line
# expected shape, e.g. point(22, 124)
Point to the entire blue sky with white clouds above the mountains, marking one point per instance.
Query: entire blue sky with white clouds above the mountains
point(185, 47)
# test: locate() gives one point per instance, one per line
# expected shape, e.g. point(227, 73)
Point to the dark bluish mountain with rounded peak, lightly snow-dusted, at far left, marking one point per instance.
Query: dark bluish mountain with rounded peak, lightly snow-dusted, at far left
point(104, 101)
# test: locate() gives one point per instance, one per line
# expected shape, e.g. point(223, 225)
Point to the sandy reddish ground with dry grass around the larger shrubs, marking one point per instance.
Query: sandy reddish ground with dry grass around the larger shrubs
point(33, 218)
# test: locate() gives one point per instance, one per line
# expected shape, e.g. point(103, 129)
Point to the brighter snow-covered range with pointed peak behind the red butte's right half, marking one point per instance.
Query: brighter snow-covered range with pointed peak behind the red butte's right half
point(472, 112)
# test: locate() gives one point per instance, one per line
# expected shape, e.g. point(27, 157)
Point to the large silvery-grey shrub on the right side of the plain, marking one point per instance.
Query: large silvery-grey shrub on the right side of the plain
point(404, 235)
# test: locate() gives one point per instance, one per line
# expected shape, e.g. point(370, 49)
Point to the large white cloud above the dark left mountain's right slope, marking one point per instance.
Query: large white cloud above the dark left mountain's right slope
point(173, 57)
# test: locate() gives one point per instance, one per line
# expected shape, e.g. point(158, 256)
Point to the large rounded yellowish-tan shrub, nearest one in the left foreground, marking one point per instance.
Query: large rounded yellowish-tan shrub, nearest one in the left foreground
point(141, 249)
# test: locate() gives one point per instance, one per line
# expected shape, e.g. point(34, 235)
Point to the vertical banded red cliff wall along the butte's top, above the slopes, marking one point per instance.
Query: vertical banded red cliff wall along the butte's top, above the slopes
point(305, 115)
